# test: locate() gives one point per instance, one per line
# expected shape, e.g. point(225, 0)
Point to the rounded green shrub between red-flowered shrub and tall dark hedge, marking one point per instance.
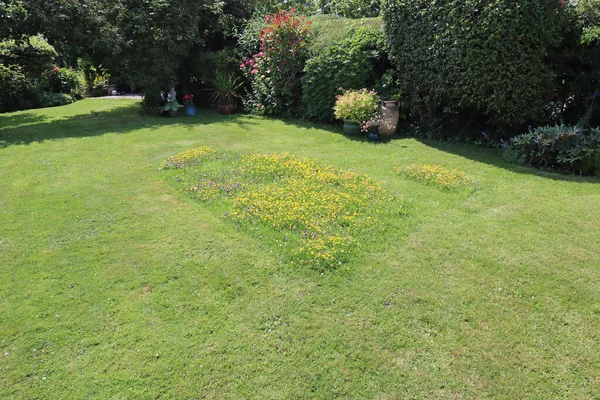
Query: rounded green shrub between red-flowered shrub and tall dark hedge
point(348, 63)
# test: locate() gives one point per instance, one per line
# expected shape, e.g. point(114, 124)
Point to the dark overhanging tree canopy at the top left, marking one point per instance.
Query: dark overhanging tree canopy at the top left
point(146, 45)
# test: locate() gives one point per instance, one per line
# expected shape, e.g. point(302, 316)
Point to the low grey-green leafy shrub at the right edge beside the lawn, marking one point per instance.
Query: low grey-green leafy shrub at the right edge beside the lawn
point(562, 147)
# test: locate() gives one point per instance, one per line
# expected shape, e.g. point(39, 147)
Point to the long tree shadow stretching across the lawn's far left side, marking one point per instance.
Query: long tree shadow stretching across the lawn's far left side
point(29, 127)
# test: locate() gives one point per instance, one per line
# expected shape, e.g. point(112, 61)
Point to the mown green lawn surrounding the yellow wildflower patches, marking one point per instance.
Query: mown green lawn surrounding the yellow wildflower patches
point(114, 284)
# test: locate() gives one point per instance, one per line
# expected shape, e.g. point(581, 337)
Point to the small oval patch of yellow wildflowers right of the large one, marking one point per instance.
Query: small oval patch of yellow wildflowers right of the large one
point(437, 175)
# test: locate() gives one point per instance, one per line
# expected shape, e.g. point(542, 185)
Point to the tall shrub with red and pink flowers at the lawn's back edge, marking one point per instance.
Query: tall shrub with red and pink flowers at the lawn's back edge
point(273, 72)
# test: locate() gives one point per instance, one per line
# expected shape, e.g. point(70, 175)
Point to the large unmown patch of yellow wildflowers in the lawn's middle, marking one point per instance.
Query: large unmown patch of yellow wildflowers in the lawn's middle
point(319, 215)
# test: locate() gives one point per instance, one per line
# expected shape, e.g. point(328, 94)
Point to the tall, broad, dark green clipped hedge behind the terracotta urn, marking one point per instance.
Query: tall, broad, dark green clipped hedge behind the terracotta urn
point(470, 58)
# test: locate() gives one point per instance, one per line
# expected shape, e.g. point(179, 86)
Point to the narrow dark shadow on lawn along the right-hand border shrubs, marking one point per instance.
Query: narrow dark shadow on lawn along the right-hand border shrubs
point(493, 157)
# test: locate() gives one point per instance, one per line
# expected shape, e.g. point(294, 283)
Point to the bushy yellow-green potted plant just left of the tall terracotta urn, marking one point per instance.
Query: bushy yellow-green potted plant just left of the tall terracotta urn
point(355, 107)
